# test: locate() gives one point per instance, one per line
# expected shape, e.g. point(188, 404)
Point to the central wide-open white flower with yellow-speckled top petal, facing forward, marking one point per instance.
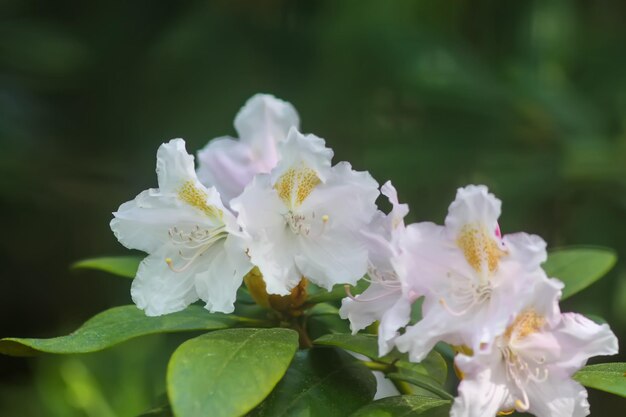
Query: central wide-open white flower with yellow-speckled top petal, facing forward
point(304, 218)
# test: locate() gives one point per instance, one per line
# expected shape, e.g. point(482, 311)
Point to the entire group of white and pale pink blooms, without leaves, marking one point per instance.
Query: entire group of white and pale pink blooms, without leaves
point(273, 200)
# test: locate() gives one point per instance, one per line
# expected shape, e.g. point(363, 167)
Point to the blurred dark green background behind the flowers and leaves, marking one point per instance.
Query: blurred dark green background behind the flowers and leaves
point(528, 97)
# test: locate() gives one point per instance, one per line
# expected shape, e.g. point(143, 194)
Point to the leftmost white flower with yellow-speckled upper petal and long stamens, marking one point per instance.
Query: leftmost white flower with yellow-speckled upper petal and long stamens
point(194, 244)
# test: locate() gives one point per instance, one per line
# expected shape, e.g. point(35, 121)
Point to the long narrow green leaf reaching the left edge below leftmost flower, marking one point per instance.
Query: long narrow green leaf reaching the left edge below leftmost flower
point(114, 326)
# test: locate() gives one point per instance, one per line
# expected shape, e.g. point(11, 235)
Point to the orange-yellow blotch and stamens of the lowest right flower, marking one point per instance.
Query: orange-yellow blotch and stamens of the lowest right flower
point(522, 368)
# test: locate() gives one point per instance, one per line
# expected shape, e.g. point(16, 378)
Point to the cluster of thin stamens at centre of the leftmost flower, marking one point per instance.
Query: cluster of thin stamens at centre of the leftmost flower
point(193, 244)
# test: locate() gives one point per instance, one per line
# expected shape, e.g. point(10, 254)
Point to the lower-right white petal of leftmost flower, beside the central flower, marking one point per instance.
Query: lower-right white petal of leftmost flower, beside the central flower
point(221, 273)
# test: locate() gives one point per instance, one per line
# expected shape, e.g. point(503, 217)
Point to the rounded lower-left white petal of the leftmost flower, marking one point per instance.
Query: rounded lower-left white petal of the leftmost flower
point(158, 290)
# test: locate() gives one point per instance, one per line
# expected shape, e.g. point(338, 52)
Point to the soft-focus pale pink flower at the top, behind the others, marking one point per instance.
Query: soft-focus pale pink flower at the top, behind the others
point(229, 164)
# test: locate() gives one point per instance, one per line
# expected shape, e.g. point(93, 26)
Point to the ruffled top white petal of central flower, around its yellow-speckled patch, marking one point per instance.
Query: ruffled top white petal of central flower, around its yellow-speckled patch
point(299, 151)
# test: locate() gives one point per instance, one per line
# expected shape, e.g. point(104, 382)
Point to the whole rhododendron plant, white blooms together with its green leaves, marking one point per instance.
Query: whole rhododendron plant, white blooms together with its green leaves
point(270, 249)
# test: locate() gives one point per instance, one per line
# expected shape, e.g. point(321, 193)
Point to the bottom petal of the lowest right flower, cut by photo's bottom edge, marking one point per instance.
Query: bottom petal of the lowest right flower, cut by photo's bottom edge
point(557, 397)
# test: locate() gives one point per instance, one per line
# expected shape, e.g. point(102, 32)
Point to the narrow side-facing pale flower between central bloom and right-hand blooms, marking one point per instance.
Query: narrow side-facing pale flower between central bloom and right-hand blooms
point(384, 299)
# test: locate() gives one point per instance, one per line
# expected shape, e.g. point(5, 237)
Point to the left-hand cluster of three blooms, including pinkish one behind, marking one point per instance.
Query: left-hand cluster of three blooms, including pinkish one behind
point(271, 199)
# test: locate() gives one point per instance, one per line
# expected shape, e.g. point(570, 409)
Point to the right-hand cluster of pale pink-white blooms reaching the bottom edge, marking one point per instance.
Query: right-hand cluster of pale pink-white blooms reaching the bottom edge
point(487, 295)
